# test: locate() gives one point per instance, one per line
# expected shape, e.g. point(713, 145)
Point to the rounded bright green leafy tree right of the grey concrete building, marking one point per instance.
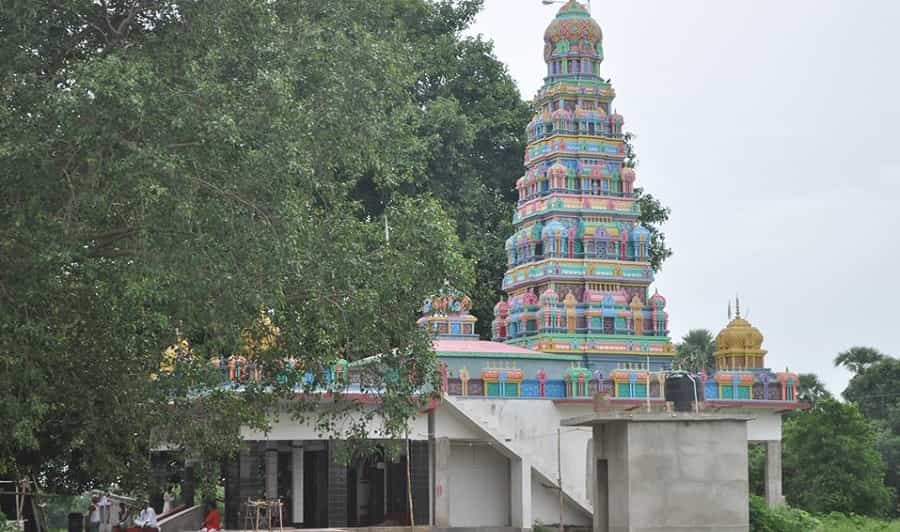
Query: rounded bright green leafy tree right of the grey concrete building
point(831, 462)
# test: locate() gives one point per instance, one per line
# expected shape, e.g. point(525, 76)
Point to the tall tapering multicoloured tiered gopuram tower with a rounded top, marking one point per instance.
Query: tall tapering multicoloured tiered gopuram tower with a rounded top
point(579, 272)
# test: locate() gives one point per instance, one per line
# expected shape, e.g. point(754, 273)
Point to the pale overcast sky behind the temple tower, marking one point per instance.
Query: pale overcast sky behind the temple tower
point(771, 128)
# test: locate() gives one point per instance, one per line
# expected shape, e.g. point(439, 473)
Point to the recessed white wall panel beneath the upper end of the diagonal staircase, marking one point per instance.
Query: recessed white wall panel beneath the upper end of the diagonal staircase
point(479, 486)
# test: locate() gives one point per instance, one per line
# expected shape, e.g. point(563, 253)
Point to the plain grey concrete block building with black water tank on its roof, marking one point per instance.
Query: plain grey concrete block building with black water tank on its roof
point(668, 472)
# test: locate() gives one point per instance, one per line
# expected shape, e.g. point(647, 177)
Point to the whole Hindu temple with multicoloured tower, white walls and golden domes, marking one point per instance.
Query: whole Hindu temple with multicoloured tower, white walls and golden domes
point(581, 330)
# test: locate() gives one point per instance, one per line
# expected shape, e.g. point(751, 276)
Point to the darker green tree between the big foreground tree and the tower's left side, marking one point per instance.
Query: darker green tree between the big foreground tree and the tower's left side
point(472, 129)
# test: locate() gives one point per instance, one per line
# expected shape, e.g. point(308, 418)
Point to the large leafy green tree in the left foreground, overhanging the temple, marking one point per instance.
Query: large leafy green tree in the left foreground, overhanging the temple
point(168, 170)
